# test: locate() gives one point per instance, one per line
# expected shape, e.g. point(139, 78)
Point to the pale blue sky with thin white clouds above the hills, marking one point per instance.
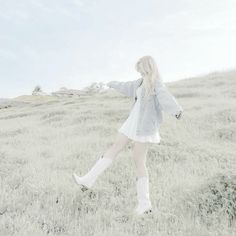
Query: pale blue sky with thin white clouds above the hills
point(72, 43)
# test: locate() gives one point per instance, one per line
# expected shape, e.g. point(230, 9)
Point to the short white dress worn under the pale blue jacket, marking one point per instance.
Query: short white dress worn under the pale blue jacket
point(129, 127)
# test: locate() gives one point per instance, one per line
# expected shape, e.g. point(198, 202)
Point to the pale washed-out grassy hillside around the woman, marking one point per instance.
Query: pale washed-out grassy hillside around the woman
point(192, 171)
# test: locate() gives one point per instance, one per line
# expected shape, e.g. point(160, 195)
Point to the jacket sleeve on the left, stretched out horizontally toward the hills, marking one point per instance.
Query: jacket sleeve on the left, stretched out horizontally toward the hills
point(126, 88)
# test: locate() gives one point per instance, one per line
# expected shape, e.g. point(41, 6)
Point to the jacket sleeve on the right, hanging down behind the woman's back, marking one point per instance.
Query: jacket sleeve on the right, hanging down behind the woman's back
point(167, 101)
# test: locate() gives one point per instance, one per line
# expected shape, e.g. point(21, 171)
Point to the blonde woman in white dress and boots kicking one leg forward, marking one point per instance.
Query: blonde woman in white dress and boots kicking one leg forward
point(150, 96)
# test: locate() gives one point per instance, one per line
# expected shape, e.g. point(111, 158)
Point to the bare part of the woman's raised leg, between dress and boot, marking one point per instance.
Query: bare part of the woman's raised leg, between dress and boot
point(117, 146)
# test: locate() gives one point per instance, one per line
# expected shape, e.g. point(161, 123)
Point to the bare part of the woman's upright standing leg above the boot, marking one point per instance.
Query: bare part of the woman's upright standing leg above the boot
point(139, 154)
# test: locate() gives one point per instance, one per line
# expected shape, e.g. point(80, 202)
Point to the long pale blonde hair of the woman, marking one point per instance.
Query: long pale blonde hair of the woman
point(147, 67)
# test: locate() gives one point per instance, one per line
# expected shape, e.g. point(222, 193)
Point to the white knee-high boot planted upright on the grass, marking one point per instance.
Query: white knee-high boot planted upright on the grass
point(144, 203)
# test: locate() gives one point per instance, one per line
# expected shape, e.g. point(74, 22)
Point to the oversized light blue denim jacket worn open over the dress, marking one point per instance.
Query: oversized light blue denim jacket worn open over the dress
point(150, 114)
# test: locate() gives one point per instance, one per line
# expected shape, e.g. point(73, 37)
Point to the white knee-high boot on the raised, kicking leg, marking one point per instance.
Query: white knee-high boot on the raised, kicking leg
point(88, 180)
